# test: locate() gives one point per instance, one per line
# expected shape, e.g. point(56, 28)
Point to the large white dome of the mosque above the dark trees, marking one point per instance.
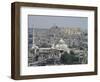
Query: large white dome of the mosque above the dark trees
point(61, 45)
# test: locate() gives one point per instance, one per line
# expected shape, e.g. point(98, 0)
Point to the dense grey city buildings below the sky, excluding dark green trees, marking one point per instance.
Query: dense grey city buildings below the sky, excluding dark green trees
point(53, 42)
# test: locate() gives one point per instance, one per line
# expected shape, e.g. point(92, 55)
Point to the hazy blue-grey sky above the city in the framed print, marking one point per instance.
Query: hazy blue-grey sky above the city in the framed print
point(36, 21)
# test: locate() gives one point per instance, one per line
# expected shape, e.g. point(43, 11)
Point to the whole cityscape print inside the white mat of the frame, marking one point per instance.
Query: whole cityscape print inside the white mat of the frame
point(56, 40)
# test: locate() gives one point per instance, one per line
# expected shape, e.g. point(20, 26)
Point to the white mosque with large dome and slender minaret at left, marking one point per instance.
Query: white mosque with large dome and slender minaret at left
point(54, 52)
